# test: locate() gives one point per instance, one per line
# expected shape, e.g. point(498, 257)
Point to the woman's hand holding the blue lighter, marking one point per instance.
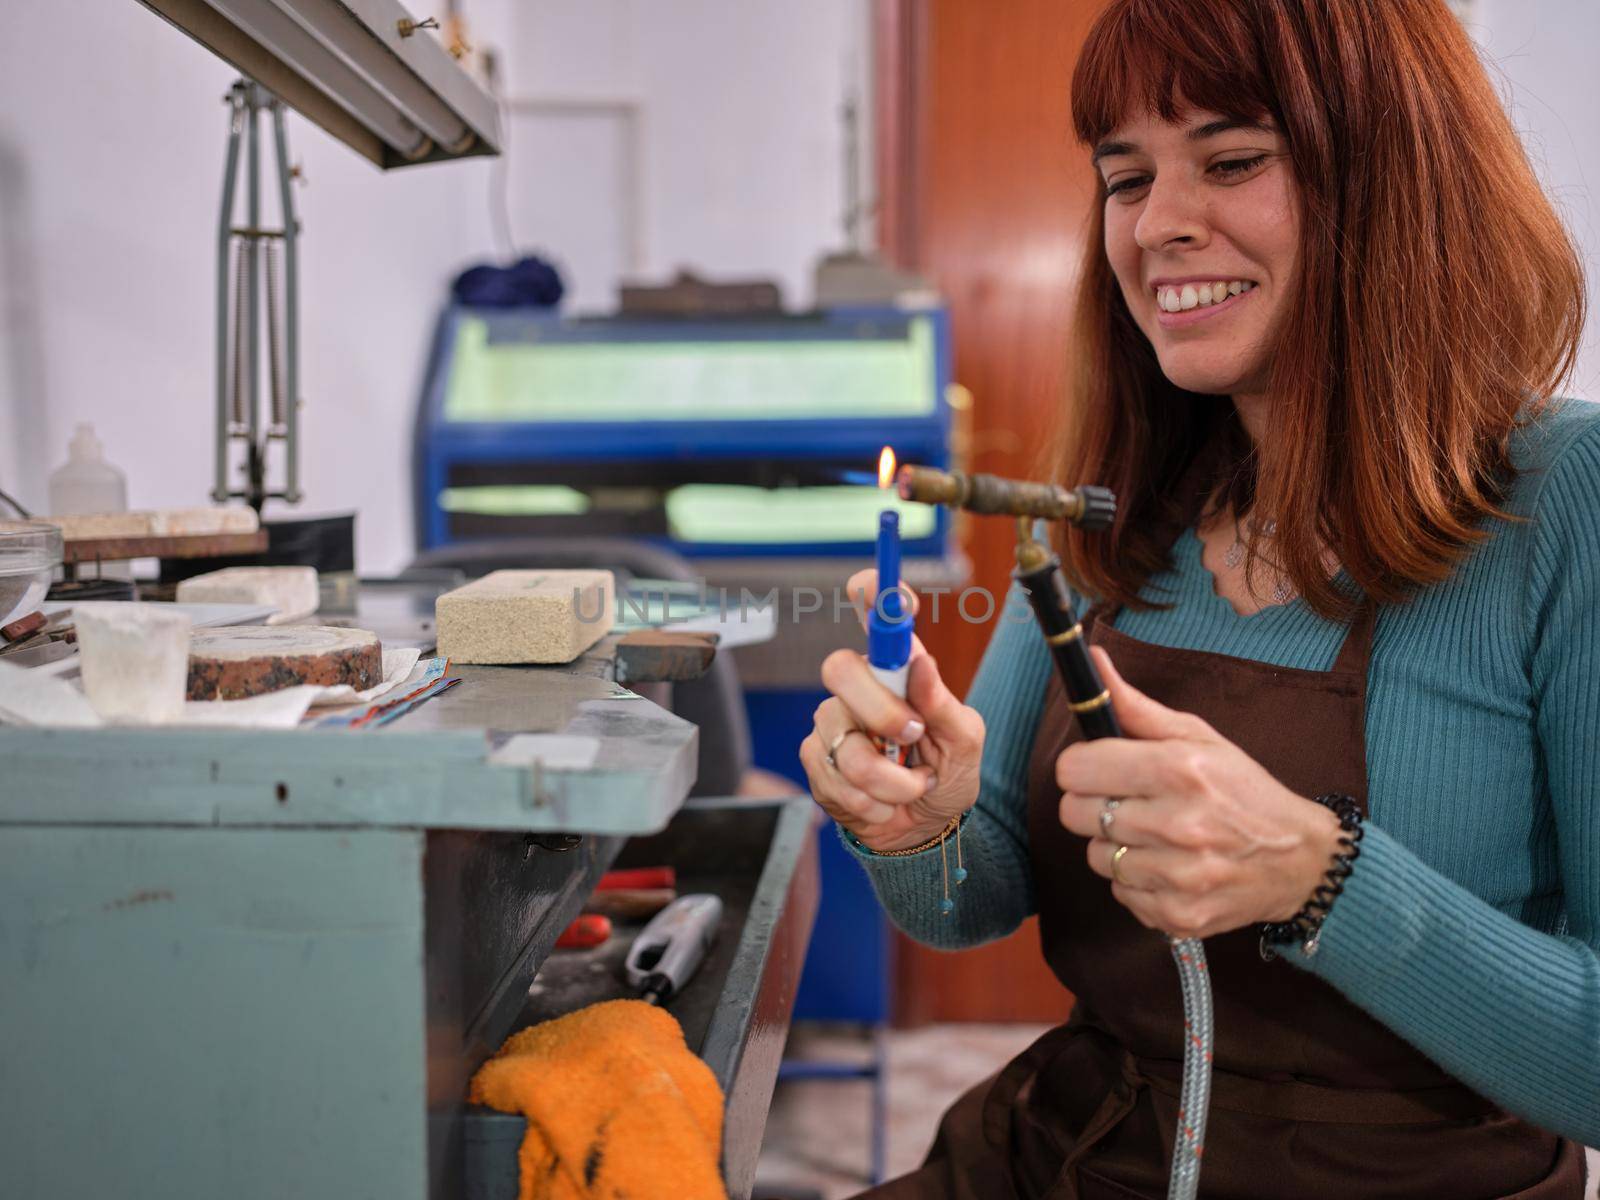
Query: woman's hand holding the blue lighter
point(887, 806)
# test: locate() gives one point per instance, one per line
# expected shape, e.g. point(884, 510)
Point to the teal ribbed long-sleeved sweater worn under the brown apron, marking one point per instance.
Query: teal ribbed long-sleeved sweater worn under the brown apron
point(1473, 922)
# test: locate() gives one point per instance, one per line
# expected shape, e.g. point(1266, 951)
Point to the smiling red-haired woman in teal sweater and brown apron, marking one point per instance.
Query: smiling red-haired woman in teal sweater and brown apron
point(1348, 620)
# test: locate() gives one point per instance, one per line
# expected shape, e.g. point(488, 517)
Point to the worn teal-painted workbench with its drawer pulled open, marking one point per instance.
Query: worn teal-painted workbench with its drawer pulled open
point(266, 964)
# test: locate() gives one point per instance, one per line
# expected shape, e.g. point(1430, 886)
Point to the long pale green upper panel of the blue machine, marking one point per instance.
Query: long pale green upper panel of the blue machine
point(521, 382)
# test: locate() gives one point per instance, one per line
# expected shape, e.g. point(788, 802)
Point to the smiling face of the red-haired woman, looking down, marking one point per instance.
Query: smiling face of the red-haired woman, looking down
point(1202, 231)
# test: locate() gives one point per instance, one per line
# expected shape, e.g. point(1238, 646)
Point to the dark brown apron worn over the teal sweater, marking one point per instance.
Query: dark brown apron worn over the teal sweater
point(1311, 1098)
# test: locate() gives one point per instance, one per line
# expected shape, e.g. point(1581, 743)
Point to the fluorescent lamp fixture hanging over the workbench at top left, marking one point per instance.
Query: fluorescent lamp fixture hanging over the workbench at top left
point(394, 97)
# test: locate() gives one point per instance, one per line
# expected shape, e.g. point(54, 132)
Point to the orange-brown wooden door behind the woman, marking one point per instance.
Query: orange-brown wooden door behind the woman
point(985, 191)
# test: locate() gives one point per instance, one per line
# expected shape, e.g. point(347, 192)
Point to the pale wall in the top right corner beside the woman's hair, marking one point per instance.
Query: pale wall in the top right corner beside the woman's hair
point(1545, 54)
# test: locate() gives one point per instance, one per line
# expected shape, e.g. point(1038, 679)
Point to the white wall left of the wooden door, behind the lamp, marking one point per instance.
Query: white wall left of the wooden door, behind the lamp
point(111, 151)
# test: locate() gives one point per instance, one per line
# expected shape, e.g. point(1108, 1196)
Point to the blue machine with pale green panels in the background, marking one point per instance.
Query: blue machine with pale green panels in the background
point(722, 439)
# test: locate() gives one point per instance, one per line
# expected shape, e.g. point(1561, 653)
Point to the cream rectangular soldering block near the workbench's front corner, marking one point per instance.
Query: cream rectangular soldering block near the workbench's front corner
point(526, 617)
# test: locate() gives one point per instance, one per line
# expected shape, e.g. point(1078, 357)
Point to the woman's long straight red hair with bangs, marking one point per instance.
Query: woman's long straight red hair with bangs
point(1393, 406)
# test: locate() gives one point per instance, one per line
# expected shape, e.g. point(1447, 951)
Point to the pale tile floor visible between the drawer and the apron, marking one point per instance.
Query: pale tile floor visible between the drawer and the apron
point(818, 1135)
